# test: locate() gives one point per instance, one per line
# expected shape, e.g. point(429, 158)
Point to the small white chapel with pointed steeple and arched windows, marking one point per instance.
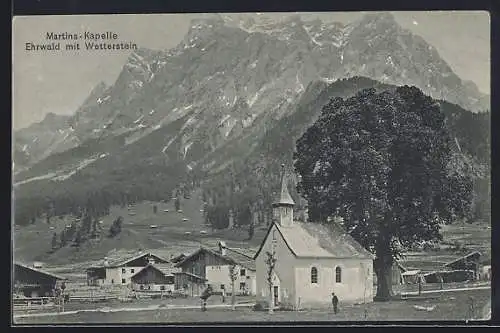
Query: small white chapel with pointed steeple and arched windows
point(312, 261)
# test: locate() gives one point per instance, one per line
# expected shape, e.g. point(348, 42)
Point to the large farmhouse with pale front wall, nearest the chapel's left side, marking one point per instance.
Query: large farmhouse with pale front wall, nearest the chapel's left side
point(214, 265)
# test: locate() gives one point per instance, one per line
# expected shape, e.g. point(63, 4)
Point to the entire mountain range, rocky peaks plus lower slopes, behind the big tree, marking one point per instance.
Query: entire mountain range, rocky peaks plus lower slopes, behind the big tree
point(227, 100)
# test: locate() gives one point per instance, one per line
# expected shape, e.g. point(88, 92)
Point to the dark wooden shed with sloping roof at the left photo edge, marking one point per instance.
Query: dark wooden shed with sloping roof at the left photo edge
point(33, 282)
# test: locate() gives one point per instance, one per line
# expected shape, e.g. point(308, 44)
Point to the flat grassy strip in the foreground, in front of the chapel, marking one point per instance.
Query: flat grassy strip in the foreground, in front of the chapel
point(448, 306)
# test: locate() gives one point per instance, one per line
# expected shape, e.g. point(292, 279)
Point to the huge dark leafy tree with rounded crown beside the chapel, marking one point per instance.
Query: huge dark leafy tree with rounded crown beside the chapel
point(380, 161)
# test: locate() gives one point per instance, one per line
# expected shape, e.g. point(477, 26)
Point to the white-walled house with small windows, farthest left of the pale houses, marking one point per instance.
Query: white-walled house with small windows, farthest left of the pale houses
point(119, 272)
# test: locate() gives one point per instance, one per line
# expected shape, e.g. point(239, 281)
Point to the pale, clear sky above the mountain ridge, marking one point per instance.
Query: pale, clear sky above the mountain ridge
point(59, 82)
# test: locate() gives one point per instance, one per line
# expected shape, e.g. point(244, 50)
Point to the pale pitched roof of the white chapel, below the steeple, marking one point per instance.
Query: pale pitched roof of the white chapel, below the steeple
point(315, 240)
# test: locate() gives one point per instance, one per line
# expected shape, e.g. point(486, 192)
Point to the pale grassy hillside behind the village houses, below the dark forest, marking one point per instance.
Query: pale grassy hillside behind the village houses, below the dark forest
point(169, 237)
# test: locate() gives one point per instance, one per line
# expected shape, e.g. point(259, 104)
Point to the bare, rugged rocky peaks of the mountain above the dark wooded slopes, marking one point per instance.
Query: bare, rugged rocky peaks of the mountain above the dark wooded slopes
point(231, 72)
